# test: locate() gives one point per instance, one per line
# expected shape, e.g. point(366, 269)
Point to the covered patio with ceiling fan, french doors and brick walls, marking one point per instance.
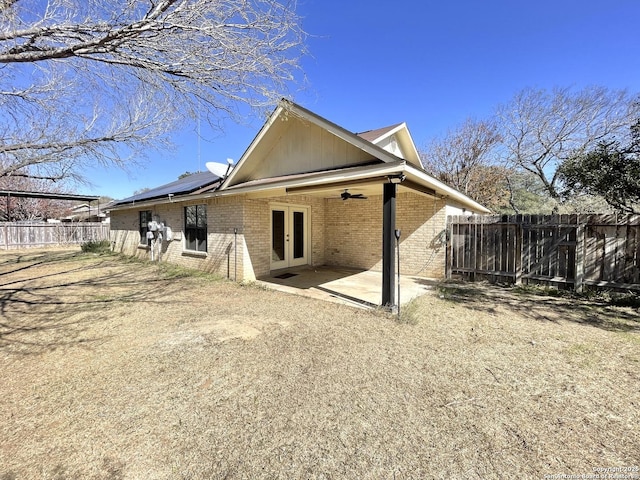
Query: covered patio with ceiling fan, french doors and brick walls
point(355, 218)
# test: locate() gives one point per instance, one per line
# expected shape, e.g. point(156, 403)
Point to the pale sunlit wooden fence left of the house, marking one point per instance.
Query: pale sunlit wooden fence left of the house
point(25, 235)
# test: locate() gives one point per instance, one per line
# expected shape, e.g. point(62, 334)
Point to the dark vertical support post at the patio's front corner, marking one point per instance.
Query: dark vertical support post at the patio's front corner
point(388, 244)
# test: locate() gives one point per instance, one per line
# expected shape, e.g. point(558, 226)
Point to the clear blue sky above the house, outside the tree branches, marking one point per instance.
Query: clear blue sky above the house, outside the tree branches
point(430, 64)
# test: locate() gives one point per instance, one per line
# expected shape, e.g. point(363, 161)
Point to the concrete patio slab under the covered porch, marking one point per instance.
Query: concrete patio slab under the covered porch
point(362, 288)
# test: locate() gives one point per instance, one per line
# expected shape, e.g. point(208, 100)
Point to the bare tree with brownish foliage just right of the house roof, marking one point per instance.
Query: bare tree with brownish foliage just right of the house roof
point(465, 158)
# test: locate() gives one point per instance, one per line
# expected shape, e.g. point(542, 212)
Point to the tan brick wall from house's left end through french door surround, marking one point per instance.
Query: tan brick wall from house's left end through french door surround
point(245, 256)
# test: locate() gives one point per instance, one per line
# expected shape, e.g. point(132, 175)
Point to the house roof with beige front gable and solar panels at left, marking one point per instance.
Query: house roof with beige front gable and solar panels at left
point(299, 152)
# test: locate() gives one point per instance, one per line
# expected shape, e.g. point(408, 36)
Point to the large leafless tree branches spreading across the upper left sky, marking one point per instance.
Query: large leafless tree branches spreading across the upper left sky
point(86, 81)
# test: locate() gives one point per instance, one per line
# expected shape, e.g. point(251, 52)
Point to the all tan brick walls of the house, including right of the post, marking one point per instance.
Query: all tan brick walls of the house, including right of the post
point(342, 234)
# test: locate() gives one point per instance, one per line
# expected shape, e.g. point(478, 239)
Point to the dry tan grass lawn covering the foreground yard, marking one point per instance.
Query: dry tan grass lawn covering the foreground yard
point(118, 369)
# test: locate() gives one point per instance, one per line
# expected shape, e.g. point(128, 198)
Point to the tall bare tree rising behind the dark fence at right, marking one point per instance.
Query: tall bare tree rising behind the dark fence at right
point(541, 129)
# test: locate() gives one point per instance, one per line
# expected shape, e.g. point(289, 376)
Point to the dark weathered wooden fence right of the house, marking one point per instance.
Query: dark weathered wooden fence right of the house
point(567, 251)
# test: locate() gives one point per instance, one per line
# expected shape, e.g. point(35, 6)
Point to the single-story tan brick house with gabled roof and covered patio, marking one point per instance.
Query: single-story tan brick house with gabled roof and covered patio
point(305, 192)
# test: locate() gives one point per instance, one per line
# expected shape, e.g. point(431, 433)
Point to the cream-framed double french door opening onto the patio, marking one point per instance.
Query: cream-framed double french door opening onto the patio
point(289, 236)
